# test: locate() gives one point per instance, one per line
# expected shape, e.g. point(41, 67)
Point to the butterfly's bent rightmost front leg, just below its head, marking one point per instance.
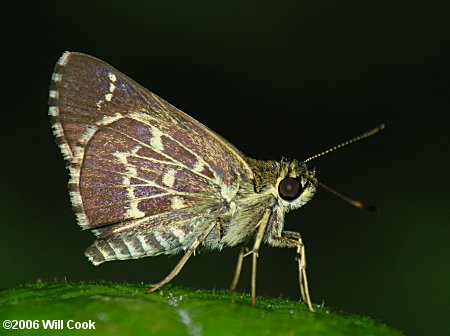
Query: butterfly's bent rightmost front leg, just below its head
point(294, 239)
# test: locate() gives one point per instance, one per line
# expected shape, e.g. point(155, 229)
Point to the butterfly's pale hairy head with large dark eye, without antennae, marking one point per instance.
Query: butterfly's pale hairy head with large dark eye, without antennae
point(296, 184)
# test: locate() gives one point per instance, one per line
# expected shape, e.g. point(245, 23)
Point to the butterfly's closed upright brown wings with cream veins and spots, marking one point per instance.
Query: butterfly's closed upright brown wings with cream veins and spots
point(131, 155)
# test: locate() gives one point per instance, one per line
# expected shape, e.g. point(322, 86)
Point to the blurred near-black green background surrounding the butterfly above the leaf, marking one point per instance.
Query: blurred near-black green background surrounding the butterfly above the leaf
point(280, 78)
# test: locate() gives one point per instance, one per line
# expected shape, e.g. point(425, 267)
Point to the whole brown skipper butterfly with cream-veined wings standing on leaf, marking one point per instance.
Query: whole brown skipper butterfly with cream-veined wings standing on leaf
point(147, 179)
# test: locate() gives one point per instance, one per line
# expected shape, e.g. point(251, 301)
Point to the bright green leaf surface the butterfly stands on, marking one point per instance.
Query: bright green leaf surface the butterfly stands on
point(124, 309)
